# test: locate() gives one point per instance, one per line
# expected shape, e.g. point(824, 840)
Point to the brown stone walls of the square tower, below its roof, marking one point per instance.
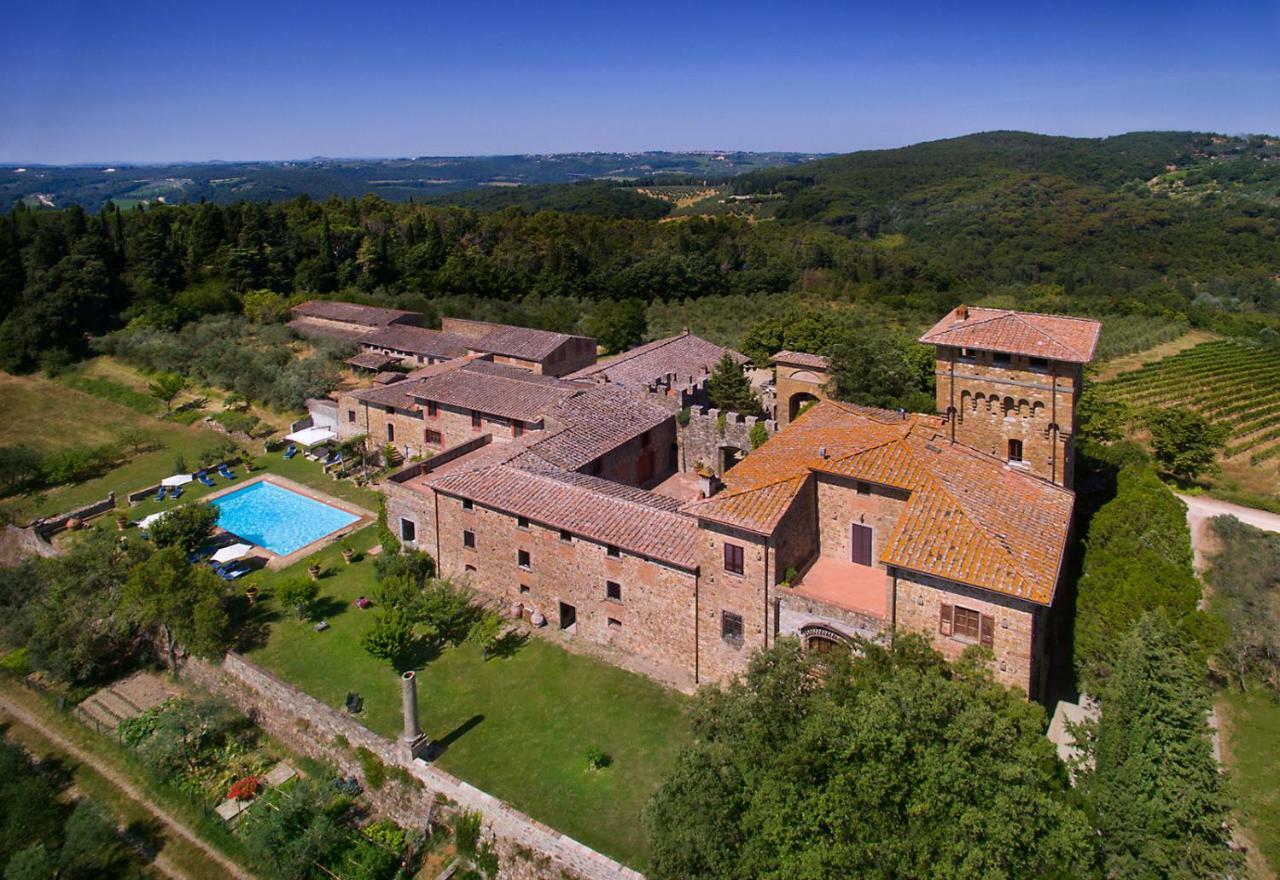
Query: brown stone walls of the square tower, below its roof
point(996, 404)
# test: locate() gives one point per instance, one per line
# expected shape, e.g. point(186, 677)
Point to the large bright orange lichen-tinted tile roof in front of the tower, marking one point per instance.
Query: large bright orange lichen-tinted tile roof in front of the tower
point(970, 519)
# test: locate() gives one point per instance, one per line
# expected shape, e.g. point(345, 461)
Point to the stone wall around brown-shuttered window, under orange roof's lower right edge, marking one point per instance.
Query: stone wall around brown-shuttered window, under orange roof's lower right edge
point(1018, 631)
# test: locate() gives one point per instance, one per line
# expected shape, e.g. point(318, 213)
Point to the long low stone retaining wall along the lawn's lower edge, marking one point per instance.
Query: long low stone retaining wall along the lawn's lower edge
point(308, 726)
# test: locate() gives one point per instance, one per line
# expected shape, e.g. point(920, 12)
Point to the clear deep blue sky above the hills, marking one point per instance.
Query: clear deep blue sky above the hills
point(89, 82)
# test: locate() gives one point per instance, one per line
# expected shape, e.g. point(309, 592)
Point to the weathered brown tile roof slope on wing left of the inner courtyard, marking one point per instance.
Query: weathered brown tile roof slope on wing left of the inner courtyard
point(596, 421)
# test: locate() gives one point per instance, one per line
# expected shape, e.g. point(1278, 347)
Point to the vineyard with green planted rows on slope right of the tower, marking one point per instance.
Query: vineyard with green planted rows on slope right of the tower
point(1231, 383)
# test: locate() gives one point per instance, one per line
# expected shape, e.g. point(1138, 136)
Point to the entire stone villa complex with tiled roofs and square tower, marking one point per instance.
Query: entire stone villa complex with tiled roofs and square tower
point(601, 497)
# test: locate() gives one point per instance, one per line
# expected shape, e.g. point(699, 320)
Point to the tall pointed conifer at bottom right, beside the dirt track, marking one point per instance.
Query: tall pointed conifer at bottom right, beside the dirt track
point(1158, 796)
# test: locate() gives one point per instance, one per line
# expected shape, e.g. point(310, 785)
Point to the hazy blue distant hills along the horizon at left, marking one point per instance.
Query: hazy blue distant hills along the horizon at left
point(396, 180)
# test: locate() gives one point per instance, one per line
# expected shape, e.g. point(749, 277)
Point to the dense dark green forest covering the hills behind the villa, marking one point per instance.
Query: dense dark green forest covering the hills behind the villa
point(1053, 224)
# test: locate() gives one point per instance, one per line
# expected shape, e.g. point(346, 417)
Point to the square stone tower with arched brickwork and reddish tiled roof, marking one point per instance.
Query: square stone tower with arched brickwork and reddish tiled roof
point(1008, 384)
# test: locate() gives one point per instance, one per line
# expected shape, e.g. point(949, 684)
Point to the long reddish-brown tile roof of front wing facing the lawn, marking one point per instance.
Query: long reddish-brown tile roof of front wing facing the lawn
point(584, 506)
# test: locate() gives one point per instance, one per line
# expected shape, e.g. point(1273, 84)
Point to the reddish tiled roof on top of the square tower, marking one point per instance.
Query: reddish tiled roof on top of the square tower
point(1053, 337)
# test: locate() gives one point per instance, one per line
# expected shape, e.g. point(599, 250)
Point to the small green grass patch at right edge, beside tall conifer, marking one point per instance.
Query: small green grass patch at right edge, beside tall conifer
point(1254, 719)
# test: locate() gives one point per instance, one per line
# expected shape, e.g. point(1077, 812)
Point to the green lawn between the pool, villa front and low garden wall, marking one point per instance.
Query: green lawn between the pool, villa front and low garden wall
point(516, 727)
